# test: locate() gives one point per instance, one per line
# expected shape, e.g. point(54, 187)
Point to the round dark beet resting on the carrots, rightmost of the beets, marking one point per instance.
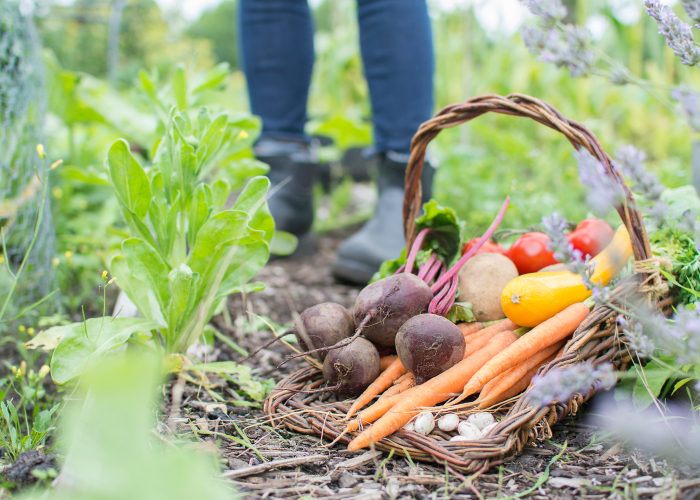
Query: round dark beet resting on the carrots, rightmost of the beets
point(428, 345)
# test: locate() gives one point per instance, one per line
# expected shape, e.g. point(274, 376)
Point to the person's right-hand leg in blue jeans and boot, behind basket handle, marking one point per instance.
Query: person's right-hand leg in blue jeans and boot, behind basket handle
point(397, 51)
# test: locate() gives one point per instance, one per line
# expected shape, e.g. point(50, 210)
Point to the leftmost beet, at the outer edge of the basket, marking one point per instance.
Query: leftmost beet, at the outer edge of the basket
point(324, 325)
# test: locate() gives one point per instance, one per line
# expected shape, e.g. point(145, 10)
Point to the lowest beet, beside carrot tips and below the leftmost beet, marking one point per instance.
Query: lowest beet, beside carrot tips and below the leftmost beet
point(352, 368)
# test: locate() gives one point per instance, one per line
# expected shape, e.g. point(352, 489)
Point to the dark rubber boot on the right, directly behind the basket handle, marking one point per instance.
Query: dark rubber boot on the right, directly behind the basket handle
point(381, 238)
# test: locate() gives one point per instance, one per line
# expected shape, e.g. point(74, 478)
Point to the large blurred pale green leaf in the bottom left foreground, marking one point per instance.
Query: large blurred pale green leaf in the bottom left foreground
point(110, 450)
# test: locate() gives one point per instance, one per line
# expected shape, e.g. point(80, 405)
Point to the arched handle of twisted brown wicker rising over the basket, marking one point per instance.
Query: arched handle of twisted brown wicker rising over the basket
point(517, 105)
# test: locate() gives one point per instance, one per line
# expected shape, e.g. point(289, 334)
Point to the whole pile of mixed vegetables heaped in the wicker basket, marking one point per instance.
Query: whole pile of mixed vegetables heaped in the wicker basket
point(471, 324)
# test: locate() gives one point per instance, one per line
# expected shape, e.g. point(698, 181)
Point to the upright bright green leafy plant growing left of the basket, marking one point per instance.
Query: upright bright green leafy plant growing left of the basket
point(185, 253)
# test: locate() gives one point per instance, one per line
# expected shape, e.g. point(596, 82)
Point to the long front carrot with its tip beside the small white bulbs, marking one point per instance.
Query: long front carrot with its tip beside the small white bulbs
point(432, 392)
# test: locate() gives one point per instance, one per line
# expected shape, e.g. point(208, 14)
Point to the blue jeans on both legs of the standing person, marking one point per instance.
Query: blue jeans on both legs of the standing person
point(397, 51)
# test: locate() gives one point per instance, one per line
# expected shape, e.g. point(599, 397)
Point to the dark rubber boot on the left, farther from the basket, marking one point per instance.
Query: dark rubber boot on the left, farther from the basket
point(293, 172)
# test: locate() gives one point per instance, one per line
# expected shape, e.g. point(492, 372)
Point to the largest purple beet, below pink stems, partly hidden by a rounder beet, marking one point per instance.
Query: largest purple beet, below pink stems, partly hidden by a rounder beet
point(383, 306)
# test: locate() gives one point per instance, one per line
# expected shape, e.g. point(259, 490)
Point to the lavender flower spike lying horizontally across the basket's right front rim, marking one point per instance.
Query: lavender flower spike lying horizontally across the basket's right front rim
point(560, 384)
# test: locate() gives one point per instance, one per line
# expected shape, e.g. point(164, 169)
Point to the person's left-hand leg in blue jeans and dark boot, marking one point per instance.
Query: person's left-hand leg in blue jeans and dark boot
point(276, 39)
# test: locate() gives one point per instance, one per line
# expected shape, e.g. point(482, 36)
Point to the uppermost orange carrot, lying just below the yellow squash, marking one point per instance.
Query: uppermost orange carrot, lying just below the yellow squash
point(547, 333)
